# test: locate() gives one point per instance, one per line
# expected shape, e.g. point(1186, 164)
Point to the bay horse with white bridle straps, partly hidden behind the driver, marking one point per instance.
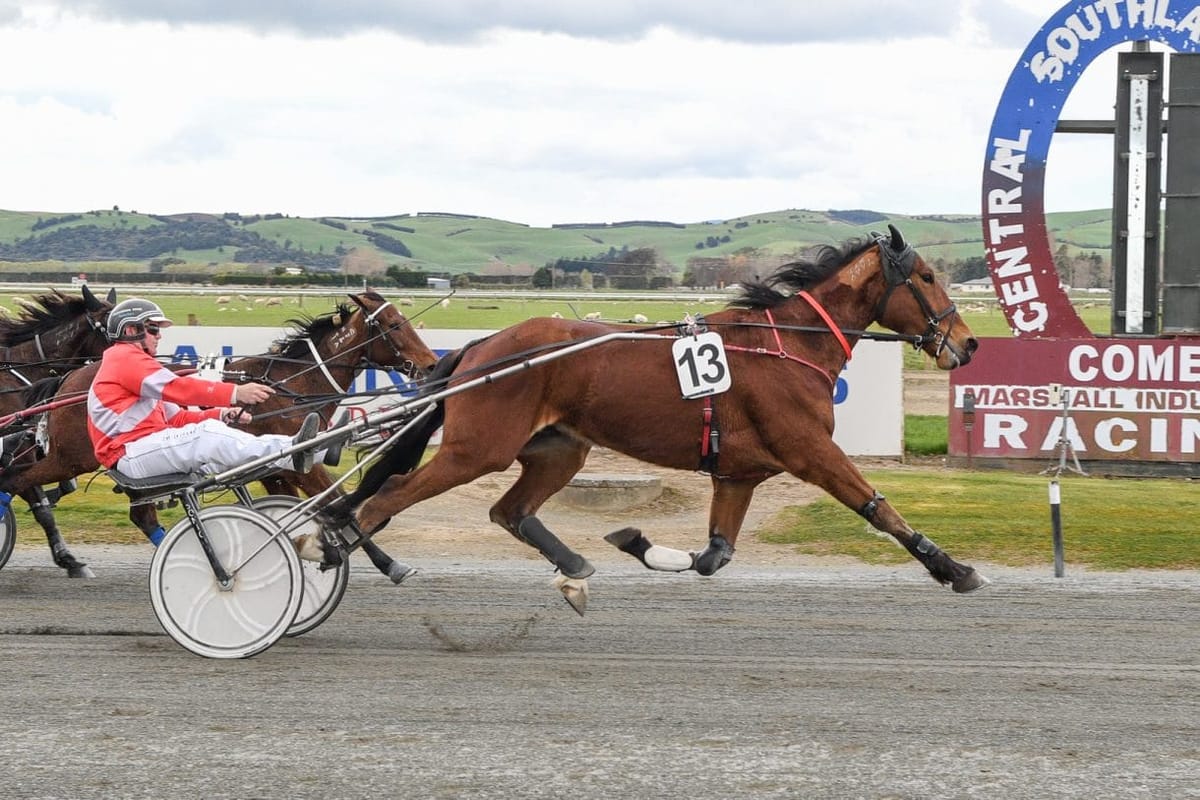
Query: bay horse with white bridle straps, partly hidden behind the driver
point(311, 369)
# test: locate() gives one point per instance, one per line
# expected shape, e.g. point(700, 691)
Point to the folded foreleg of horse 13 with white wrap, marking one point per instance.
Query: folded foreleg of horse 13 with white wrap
point(727, 513)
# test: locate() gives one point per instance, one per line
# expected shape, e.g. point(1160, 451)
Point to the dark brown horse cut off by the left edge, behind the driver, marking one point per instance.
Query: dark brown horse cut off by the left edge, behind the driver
point(53, 335)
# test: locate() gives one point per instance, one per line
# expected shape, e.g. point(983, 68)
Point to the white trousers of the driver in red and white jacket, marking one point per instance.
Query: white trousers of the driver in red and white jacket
point(209, 447)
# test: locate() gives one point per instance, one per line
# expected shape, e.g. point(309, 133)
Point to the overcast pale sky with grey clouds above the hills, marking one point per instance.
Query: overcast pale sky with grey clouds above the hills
point(531, 111)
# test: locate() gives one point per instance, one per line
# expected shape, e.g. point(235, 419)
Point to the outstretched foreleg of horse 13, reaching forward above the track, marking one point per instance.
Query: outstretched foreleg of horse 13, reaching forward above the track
point(833, 472)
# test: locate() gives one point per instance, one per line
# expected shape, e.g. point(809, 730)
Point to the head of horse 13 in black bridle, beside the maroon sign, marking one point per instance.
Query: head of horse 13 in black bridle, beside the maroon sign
point(922, 306)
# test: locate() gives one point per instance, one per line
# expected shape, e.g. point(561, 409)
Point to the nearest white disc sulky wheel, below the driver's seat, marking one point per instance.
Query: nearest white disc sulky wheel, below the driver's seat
point(254, 611)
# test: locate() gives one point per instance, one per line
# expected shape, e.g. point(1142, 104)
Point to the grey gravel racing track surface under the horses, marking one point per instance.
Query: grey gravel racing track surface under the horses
point(476, 681)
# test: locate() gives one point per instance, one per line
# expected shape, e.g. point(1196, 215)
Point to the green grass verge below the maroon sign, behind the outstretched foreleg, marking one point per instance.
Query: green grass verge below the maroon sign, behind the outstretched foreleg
point(1111, 525)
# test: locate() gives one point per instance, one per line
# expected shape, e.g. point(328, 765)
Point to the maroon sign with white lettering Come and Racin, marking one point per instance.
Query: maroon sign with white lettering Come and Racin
point(1129, 400)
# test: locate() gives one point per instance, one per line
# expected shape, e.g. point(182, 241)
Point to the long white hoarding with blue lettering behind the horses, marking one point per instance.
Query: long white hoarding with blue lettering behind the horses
point(869, 394)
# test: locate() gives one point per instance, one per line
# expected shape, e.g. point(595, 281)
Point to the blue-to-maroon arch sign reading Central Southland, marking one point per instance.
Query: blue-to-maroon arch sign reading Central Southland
point(1015, 230)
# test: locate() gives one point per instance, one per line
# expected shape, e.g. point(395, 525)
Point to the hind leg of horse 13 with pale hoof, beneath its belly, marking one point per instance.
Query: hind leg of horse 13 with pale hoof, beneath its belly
point(548, 464)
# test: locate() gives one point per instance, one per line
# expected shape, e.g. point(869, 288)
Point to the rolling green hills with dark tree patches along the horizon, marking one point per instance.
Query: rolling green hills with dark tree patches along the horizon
point(455, 244)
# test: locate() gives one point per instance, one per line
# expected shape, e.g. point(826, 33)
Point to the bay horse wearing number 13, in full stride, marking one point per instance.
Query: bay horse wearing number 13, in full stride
point(787, 340)
